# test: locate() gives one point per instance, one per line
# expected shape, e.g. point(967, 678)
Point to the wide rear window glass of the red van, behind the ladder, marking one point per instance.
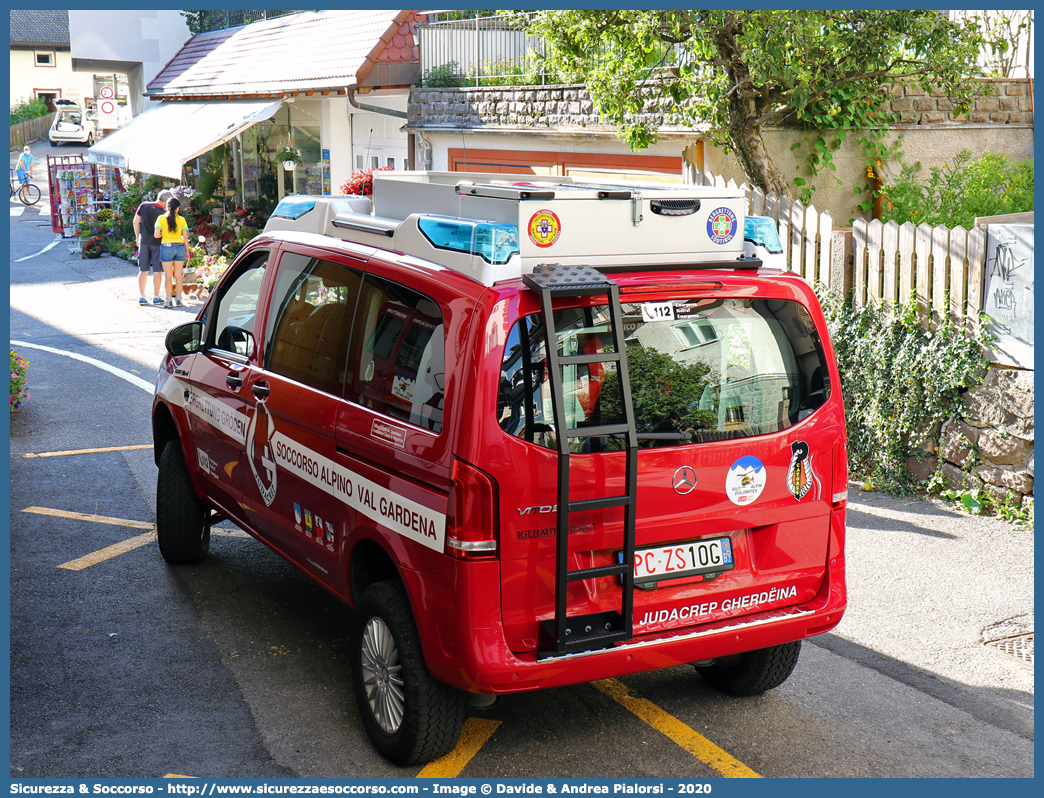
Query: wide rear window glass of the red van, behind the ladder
point(704, 370)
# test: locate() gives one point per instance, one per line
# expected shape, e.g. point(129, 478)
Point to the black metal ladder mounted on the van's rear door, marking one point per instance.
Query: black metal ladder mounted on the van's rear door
point(567, 635)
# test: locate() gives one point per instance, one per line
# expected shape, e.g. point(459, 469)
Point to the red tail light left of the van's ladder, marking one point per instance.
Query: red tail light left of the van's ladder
point(471, 525)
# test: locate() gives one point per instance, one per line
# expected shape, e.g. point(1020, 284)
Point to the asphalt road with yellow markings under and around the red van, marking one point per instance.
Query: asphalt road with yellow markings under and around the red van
point(239, 668)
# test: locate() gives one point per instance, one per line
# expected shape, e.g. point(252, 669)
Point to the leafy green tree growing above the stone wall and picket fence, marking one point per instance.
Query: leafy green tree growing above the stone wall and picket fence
point(742, 71)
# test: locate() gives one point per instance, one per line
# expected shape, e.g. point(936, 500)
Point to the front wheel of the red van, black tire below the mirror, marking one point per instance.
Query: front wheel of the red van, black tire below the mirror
point(181, 525)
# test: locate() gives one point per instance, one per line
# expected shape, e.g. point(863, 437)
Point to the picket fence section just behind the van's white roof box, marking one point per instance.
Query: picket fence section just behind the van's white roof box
point(805, 233)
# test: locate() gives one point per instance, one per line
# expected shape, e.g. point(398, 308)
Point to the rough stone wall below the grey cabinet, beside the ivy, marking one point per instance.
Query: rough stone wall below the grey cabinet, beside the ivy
point(992, 449)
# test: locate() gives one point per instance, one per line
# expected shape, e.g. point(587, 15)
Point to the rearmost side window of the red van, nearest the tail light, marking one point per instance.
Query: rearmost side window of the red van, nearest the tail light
point(397, 364)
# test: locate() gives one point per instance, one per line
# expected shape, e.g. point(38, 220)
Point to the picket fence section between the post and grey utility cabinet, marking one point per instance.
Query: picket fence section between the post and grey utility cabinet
point(943, 268)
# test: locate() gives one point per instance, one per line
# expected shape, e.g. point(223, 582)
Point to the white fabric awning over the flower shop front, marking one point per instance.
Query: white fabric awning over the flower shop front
point(163, 138)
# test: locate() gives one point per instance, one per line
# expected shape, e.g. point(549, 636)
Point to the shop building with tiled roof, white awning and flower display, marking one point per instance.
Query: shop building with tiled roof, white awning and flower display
point(335, 85)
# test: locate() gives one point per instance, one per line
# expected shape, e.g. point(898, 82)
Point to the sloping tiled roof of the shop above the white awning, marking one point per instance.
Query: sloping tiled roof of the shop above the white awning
point(313, 51)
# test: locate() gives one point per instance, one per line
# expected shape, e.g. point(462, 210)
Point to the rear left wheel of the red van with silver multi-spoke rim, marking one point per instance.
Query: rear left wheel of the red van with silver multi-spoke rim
point(410, 716)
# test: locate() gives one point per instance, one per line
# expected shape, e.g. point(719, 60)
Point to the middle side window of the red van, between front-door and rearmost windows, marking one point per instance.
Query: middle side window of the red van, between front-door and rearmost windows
point(311, 321)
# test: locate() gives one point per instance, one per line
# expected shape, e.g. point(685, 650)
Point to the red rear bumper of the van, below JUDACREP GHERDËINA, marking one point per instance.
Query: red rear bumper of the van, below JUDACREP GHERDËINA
point(488, 666)
